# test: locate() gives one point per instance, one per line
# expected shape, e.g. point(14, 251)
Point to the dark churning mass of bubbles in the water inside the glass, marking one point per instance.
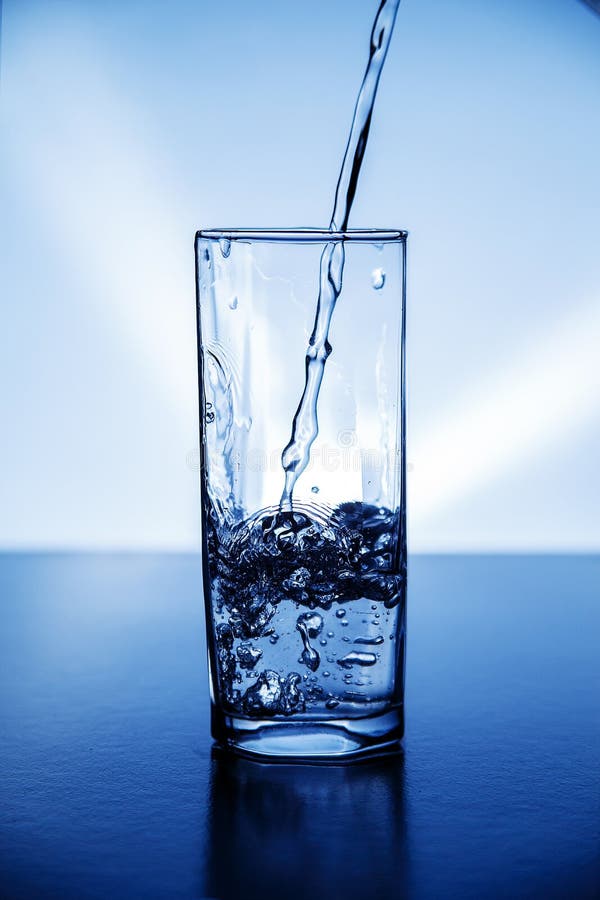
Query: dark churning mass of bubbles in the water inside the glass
point(290, 557)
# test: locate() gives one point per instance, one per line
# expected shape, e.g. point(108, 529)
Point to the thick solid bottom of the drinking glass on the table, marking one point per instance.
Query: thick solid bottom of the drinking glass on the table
point(310, 740)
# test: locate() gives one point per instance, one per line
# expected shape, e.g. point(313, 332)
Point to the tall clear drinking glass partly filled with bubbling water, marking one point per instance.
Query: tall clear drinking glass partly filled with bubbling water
point(305, 604)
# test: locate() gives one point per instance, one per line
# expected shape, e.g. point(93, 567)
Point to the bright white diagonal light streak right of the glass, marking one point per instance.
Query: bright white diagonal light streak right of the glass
point(535, 400)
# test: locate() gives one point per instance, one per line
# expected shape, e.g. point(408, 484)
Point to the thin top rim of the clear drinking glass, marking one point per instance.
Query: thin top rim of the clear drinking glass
point(304, 235)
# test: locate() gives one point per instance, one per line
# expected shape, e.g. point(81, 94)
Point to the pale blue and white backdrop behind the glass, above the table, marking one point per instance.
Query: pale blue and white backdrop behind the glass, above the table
point(127, 125)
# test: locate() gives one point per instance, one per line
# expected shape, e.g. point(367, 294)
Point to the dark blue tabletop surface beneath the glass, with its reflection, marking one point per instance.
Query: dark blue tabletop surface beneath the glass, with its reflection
point(109, 788)
